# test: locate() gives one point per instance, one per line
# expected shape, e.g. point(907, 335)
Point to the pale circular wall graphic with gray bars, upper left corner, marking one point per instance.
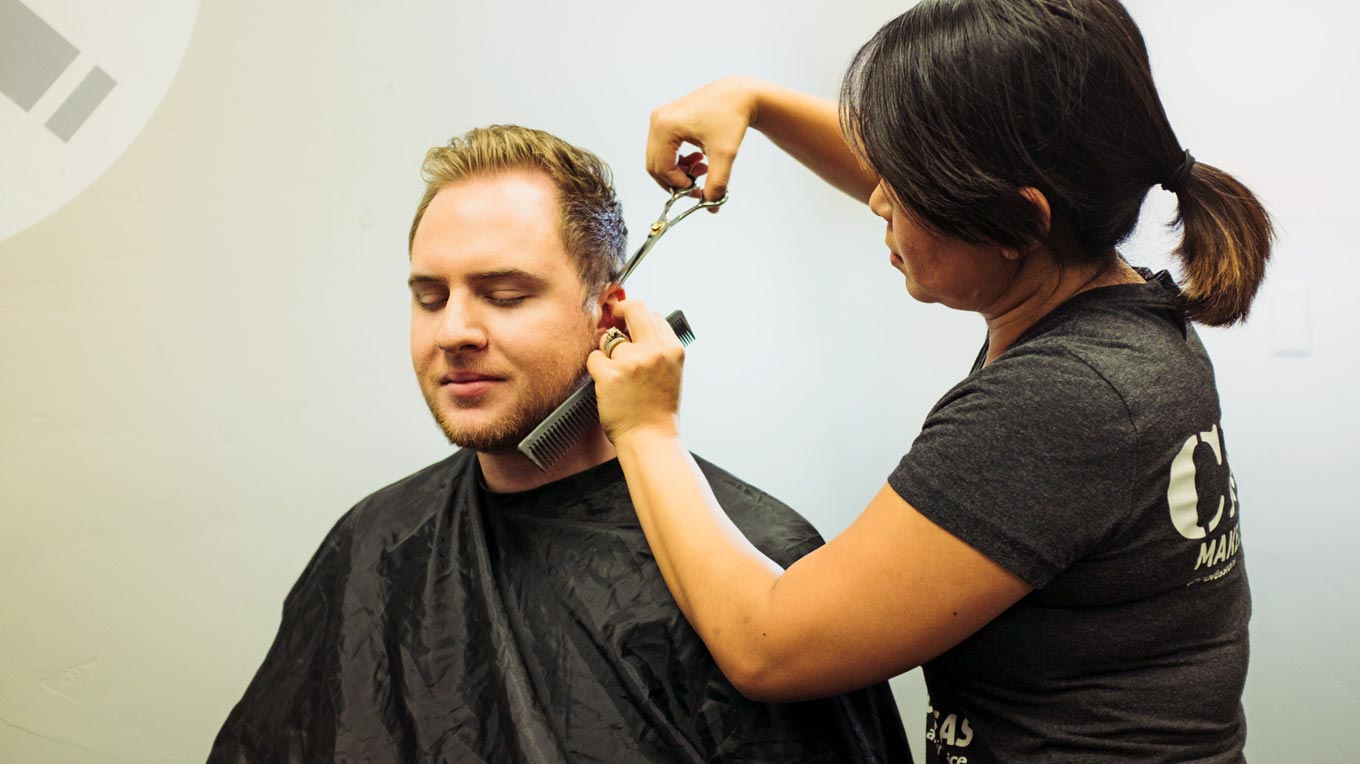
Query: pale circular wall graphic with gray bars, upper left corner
point(78, 82)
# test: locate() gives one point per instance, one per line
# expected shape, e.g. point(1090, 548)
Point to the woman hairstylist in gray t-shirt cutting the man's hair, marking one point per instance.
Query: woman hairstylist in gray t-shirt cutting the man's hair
point(1059, 549)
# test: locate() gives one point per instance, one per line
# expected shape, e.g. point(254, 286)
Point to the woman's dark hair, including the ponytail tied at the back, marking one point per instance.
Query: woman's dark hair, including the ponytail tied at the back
point(961, 104)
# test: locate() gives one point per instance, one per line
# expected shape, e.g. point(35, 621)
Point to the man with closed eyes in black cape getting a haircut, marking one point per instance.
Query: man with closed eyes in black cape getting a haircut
point(482, 610)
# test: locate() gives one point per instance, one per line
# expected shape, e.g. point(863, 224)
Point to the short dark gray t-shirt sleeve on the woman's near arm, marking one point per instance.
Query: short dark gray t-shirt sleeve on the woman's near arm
point(1030, 462)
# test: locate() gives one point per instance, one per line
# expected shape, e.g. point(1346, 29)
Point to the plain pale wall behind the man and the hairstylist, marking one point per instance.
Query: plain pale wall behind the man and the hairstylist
point(205, 353)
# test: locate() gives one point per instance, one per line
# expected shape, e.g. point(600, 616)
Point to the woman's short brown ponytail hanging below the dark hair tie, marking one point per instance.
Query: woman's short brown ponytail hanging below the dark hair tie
point(1225, 247)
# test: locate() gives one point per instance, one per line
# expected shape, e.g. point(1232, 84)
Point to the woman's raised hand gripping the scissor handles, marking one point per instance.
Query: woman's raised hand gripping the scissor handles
point(715, 119)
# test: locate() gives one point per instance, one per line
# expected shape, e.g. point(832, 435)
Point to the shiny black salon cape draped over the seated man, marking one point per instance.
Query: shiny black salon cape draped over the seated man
point(444, 623)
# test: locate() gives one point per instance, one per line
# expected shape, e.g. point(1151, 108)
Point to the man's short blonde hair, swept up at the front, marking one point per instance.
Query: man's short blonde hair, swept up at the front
point(591, 218)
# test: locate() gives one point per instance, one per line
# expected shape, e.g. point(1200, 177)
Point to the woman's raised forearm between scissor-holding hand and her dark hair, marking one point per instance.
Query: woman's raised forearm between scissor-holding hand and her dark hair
point(809, 128)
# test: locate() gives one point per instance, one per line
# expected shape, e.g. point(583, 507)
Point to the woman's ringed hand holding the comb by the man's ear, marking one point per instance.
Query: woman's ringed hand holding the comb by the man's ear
point(639, 384)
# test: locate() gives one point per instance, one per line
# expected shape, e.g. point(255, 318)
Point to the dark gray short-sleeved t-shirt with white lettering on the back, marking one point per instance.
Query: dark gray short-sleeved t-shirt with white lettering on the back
point(1090, 462)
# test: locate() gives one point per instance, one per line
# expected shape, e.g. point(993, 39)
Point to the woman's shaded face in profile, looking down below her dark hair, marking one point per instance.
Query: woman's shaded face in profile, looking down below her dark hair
point(951, 273)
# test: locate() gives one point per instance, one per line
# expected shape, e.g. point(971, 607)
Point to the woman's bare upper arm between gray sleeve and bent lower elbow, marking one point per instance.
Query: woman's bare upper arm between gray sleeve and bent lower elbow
point(886, 596)
